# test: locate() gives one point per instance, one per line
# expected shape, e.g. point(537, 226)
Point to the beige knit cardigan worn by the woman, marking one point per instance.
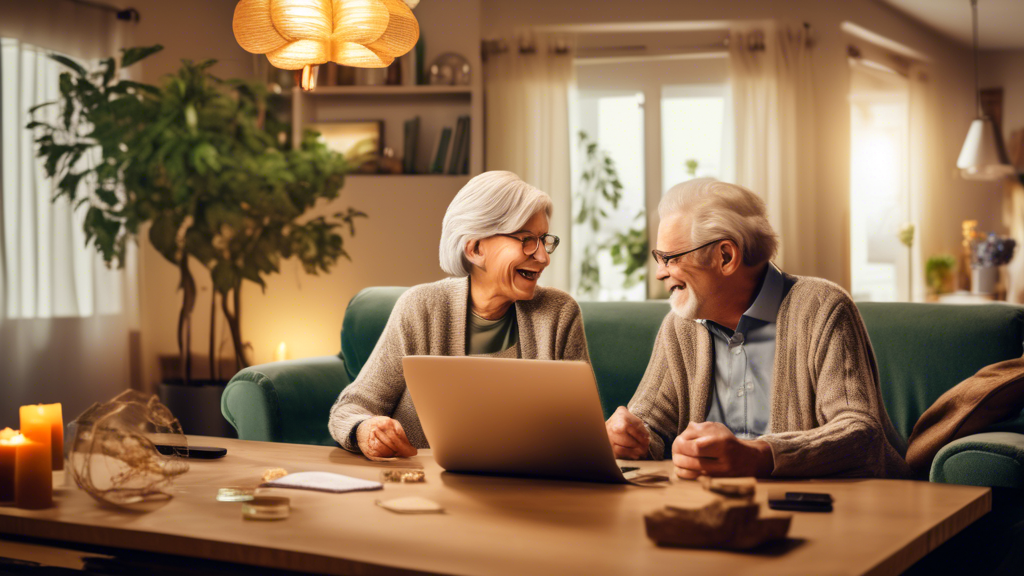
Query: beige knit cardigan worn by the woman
point(431, 320)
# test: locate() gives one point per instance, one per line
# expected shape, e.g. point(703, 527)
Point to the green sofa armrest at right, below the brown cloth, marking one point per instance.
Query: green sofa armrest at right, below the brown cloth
point(995, 460)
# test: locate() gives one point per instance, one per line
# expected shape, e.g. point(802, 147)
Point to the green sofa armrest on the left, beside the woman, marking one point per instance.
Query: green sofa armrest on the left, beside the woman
point(287, 401)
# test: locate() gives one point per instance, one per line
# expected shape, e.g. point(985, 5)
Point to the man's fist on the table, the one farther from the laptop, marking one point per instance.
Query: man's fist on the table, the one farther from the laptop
point(711, 449)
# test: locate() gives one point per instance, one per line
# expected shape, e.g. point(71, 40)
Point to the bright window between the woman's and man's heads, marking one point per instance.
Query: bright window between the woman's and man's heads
point(659, 122)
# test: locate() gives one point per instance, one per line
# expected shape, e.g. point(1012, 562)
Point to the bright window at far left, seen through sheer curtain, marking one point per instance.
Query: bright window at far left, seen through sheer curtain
point(48, 270)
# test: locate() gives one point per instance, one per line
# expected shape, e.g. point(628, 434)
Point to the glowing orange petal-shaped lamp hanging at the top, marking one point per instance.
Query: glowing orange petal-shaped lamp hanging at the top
point(305, 34)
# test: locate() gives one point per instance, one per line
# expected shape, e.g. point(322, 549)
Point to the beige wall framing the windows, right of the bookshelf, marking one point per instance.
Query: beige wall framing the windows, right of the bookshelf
point(952, 200)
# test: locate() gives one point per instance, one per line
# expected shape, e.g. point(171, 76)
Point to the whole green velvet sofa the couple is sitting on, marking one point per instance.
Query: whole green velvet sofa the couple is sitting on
point(922, 350)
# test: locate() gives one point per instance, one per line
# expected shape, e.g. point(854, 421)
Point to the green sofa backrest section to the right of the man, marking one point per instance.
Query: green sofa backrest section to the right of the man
point(925, 350)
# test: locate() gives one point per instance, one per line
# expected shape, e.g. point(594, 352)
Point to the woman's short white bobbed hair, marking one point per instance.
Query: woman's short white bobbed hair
point(495, 202)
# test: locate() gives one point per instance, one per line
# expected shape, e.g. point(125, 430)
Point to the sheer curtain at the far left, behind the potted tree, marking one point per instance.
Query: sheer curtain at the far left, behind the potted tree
point(65, 318)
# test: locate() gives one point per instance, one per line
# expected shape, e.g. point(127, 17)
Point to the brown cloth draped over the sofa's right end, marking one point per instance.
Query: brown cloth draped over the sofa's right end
point(993, 395)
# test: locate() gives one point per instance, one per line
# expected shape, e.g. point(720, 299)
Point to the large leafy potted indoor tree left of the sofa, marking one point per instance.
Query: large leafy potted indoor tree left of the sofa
point(209, 169)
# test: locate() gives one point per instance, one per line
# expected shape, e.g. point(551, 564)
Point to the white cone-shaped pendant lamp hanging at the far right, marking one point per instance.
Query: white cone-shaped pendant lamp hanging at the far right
point(983, 157)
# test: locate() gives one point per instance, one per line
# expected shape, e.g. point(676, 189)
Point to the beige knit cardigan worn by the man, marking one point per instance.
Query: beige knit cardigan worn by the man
point(827, 420)
